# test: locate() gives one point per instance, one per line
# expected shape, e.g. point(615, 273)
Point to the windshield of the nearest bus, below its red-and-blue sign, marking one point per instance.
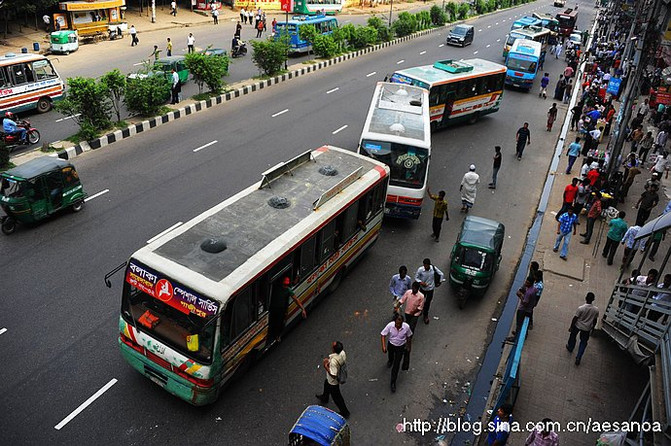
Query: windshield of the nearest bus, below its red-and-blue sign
point(169, 325)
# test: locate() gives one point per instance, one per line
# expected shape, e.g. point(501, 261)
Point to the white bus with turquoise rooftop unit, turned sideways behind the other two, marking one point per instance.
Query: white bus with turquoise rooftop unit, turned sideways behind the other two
point(459, 90)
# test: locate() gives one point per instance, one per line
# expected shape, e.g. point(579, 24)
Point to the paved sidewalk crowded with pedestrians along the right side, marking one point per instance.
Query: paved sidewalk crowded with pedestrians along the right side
point(607, 383)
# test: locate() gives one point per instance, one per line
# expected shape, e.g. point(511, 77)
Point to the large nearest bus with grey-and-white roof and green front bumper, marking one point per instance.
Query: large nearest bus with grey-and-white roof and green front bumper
point(199, 302)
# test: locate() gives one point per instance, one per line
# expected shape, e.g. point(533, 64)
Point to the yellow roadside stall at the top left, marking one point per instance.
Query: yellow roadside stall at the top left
point(91, 19)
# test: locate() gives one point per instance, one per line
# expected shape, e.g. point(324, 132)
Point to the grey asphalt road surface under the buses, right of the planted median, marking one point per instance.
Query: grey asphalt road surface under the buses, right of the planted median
point(60, 343)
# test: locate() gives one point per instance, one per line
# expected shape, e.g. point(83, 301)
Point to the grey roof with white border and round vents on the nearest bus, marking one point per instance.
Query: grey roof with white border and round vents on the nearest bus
point(254, 230)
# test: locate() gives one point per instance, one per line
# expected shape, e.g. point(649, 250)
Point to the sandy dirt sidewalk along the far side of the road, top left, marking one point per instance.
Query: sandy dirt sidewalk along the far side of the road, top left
point(185, 18)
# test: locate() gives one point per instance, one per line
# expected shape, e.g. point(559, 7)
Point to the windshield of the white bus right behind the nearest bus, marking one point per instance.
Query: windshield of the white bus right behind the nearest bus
point(408, 164)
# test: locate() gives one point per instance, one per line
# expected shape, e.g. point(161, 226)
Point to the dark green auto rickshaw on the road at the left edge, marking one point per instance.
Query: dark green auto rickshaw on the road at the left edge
point(37, 189)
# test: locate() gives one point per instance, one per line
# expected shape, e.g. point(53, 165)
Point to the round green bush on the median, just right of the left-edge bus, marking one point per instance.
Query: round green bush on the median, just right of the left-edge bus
point(87, 104)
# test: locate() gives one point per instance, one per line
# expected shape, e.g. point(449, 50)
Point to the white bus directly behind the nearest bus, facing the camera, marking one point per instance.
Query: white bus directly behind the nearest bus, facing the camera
point(397, 132)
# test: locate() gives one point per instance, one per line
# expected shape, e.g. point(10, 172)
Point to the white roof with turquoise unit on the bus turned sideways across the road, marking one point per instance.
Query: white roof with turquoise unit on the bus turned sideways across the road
point(439, 72)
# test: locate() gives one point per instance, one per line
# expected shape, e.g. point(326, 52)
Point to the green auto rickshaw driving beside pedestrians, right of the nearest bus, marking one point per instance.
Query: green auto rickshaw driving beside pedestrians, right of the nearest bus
point(475, 256)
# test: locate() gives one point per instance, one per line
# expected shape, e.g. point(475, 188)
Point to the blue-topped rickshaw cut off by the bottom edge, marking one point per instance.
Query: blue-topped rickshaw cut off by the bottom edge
point(318, 425)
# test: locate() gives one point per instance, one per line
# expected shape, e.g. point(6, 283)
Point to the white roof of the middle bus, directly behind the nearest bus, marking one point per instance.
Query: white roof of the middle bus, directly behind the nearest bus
point(400, 110)
